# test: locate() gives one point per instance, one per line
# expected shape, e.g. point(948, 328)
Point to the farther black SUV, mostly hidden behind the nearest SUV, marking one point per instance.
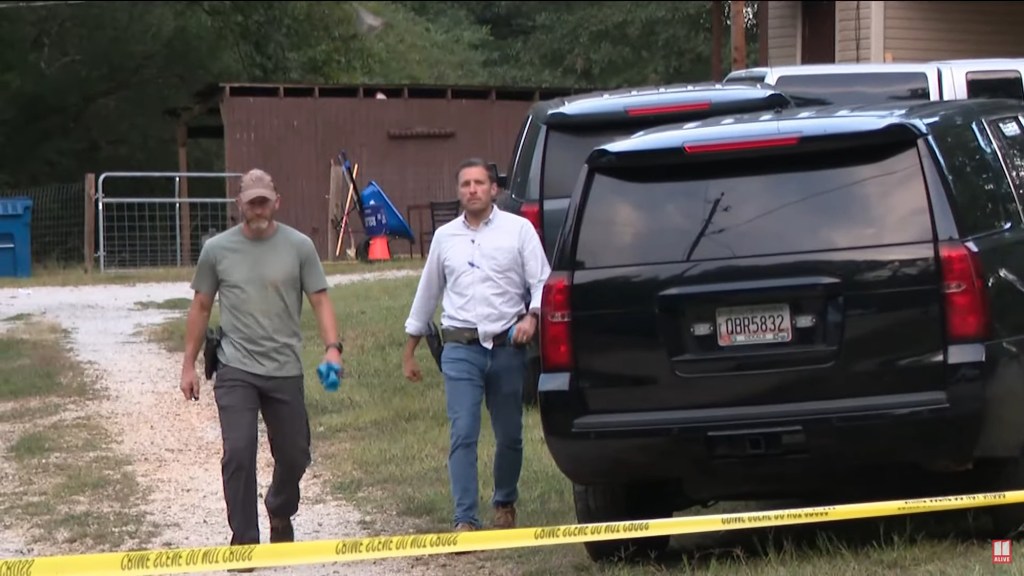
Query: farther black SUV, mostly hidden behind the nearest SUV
point(558, 136)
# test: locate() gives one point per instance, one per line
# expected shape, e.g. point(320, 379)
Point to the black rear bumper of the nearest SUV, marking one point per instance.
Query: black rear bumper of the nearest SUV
point(765, 451)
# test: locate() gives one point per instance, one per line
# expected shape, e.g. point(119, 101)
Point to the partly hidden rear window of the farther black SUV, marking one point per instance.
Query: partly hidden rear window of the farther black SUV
point(566, 154)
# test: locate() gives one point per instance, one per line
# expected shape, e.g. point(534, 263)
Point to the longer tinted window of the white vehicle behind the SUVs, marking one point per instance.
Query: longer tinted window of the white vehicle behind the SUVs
point(842, 90)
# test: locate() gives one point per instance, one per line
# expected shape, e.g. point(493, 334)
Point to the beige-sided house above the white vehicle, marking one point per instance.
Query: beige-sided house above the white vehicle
point(900, 31)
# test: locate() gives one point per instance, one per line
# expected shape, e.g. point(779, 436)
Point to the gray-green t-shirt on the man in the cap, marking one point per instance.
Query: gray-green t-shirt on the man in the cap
point(262, 285)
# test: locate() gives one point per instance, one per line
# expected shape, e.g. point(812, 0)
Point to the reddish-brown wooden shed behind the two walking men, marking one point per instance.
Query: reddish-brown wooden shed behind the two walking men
point(407, 139)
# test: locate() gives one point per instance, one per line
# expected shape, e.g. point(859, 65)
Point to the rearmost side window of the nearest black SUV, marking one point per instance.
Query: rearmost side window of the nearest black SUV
point(983, 200)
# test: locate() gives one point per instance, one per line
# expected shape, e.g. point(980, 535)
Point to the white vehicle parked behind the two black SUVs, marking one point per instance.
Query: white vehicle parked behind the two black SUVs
point(869, 84)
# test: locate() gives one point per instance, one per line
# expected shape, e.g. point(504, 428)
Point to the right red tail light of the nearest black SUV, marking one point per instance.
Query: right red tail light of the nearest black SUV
point(964, 292)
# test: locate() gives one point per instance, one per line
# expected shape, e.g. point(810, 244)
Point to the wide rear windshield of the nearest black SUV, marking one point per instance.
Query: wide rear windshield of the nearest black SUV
point(754, 209)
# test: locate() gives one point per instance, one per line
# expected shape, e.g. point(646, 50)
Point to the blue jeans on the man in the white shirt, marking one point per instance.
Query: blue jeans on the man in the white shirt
point(474, 375)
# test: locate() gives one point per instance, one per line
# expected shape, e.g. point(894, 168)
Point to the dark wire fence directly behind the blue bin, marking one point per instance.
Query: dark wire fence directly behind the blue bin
point(58, 222)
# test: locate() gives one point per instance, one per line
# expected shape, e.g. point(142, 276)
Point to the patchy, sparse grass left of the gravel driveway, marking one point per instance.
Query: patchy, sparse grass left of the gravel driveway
point(67, 485)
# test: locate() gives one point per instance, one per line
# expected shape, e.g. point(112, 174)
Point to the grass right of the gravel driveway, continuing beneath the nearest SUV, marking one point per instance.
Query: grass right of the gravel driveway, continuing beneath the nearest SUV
point(386, 443)
